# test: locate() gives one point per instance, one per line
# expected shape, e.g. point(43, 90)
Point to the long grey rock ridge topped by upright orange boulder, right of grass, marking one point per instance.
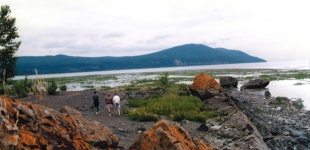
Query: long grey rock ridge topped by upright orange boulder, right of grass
point(233, 130)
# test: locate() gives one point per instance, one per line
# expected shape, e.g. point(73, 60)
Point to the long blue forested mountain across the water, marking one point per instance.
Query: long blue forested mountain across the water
point(184, 55)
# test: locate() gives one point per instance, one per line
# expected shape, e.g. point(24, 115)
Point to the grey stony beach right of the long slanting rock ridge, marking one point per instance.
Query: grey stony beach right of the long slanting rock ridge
point(283, 127)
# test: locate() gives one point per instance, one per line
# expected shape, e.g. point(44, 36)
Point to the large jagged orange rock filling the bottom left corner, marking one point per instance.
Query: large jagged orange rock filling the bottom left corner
point(29, 126)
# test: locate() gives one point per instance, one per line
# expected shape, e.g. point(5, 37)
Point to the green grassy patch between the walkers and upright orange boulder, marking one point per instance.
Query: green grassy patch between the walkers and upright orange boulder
point(170, 105)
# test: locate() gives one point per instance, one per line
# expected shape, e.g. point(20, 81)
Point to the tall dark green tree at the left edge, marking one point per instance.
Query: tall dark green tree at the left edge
point(8, 47)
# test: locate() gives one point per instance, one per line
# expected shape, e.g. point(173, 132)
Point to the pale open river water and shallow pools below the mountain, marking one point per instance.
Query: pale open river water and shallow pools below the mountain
point(291, 88)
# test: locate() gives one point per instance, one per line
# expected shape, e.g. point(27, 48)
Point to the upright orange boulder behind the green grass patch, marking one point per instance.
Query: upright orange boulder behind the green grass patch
point(205, 86)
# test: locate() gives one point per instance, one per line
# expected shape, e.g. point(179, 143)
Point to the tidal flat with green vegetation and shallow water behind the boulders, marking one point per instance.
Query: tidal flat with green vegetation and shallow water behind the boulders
point(293, 84)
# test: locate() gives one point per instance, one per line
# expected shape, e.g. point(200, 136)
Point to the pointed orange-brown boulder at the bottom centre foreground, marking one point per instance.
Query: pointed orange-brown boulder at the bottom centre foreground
point(166, 136)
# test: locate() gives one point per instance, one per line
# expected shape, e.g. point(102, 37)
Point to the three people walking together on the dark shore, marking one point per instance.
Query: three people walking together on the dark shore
point(112, 103)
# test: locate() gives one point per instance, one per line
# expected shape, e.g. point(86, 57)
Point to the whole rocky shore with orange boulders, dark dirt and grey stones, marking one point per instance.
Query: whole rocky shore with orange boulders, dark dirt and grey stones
point(248, 120)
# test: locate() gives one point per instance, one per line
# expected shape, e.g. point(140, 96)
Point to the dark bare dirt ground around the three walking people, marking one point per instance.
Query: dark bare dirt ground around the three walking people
point(125, 129)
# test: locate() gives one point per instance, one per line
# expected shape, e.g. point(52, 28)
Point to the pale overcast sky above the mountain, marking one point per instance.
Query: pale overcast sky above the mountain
point(273, 30)
